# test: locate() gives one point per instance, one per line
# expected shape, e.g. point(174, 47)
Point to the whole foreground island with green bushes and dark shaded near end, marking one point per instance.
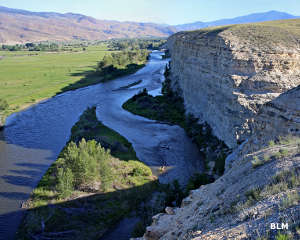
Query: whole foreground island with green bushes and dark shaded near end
point(64, 205)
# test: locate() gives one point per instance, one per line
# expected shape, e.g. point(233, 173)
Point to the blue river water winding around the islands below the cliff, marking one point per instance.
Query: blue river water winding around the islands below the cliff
point(33, 138)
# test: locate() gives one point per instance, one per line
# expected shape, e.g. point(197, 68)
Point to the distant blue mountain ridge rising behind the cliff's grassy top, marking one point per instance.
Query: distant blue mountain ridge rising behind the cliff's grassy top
point(256, 17)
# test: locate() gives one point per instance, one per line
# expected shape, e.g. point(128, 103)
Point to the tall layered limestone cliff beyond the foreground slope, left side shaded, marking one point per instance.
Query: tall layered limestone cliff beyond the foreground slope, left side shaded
point(226, 74)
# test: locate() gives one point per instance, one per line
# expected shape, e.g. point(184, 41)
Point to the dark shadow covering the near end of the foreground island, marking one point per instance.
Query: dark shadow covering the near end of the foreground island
point(87, 217)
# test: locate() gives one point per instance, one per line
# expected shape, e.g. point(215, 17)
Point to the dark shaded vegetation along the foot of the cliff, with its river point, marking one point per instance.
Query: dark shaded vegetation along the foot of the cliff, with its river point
point(169, 108)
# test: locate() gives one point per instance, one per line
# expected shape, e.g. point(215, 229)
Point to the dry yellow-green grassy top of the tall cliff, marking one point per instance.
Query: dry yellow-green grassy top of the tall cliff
point(270, 35)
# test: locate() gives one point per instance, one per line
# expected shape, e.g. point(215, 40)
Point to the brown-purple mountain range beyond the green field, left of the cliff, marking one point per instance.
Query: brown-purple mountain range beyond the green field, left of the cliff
point(20, 26)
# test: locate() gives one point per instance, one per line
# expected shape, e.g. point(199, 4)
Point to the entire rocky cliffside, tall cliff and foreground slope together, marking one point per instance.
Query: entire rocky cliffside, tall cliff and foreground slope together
point(243, 81)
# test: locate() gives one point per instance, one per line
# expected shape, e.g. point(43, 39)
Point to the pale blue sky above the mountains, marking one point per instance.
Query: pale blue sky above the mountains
point(160, 11)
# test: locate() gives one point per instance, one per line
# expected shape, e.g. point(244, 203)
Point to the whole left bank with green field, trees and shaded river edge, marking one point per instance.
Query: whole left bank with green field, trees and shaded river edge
point(47, 69)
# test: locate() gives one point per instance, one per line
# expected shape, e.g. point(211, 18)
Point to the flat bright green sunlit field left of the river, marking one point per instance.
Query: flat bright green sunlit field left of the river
point(27, 77)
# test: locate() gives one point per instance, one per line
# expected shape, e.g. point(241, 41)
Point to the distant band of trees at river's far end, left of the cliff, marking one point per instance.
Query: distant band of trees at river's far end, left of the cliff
point(135, 44)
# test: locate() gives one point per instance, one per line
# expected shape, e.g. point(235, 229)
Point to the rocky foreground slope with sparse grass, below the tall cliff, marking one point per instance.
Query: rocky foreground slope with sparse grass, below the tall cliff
point(261, 185)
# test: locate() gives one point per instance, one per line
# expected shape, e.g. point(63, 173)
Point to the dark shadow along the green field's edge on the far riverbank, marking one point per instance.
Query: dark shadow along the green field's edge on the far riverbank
point(95, 76)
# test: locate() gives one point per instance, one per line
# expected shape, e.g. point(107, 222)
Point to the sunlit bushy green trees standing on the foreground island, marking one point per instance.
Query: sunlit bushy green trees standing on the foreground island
point(81, 165)
